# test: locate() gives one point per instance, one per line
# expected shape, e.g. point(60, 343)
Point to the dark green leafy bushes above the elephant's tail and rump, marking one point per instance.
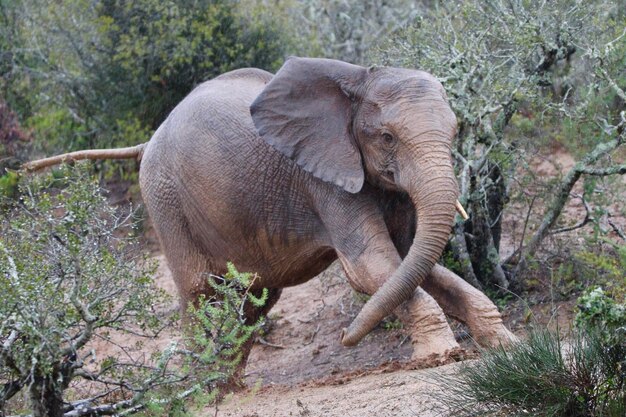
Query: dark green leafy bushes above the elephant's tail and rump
point(105, 73)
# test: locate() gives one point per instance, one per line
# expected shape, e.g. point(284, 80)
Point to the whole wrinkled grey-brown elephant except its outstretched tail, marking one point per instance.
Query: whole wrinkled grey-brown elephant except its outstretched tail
point(284, 174)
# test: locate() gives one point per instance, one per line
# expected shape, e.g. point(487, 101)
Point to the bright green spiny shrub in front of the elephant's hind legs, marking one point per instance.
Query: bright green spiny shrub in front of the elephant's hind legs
point(217, 334)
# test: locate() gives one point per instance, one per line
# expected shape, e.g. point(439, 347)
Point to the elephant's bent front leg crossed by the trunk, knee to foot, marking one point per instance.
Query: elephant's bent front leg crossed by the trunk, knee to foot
point(421, 316)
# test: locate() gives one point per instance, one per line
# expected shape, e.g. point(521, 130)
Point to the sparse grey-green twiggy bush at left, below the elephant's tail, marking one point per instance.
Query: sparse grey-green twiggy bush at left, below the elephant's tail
point(66, 276)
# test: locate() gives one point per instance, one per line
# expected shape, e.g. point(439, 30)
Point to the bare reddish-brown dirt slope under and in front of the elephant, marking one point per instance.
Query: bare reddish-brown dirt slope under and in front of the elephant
point(298, 367)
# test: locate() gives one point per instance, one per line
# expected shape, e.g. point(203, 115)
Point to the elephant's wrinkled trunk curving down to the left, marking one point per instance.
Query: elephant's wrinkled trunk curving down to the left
point(434, 200)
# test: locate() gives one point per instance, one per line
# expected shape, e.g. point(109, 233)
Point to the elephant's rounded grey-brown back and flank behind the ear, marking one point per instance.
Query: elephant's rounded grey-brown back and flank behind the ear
point(242, 199)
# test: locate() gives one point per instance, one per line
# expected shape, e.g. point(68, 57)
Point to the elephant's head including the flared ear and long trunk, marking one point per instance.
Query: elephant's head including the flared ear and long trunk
point(392, 127)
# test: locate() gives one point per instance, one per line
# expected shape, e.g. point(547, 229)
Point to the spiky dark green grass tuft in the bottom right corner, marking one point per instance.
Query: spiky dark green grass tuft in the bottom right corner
point(543, 377)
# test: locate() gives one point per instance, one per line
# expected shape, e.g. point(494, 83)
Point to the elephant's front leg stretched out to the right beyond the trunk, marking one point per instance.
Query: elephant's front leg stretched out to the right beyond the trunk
point(467, 304)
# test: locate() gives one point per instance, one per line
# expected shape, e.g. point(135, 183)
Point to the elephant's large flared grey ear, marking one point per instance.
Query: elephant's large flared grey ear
point(306, 111)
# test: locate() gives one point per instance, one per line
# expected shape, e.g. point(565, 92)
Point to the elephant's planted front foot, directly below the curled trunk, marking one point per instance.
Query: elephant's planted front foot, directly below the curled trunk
point(430, 334)
